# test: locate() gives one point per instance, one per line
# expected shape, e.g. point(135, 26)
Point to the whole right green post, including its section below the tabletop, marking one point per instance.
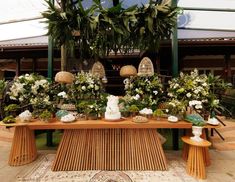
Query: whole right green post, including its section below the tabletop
point(175, 72)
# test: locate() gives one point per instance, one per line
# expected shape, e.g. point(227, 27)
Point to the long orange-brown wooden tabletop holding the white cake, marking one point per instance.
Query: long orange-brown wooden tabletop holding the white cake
point(36, 124)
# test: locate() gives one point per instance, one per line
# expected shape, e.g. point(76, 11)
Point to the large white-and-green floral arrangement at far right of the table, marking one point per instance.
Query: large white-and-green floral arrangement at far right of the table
point(197, 91)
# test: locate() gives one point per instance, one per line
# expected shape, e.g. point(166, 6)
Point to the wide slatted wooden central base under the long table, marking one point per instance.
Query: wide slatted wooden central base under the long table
point(110, 149)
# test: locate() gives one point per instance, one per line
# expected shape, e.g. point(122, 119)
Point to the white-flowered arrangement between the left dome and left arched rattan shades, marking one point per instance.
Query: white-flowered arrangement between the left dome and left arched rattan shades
point(87, 86)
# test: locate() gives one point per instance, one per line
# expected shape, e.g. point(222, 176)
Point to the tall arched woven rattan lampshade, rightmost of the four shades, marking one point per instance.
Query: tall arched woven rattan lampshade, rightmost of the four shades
point(145, 67)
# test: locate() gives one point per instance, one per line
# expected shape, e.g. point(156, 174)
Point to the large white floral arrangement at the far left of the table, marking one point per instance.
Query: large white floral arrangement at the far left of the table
point(32, 90)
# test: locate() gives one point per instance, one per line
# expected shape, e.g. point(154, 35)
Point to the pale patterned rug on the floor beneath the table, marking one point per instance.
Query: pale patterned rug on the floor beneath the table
point(41, 172)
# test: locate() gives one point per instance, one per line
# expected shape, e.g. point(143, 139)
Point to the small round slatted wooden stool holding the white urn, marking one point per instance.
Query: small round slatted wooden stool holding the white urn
point(195, 163)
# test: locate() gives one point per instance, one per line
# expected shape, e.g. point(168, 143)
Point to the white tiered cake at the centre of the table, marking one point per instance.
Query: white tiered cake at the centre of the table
point(112, 110)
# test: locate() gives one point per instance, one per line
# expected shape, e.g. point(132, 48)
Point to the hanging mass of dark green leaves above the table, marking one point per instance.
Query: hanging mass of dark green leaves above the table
point(103, 30)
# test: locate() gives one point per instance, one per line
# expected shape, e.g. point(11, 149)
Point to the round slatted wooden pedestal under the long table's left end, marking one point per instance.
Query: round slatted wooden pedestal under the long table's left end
point(23, 149)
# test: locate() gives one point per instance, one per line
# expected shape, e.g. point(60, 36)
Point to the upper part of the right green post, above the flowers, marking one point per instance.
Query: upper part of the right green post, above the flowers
point(174, 47)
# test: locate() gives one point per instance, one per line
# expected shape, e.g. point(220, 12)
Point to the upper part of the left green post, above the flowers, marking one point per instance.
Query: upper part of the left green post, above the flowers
point(50, 56)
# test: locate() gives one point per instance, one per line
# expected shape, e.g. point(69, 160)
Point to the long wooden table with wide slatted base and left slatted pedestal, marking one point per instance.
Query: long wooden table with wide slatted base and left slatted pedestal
point(99, 144)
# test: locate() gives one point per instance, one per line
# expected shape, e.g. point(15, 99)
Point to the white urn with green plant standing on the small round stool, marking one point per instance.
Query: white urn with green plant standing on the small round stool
point(198, 123)
